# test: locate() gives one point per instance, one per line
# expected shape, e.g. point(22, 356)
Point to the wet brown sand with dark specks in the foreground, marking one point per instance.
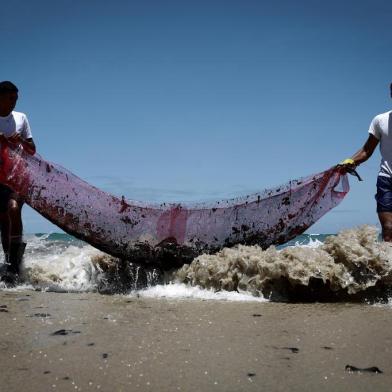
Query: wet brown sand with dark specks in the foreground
point(68, 342)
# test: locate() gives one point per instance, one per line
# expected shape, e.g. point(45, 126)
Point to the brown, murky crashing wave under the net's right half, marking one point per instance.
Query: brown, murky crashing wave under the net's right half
point(351, 264)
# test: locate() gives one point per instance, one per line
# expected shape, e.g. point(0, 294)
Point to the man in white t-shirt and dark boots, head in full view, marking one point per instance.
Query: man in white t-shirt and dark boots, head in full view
point(14, 130)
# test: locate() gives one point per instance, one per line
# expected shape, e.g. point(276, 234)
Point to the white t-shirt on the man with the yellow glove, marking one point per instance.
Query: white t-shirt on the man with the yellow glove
point(381, 128)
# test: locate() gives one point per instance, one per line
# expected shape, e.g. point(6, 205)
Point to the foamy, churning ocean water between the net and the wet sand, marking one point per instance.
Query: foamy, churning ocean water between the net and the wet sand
point(352, 265)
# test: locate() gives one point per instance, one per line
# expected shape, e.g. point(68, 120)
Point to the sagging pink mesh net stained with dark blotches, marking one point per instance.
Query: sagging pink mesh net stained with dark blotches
point(168, 235)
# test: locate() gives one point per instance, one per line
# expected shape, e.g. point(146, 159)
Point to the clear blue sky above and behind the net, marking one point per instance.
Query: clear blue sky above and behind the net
point(195, 100)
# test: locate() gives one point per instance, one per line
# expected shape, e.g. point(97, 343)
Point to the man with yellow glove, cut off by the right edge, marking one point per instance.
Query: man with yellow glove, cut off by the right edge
point(380, 131)
